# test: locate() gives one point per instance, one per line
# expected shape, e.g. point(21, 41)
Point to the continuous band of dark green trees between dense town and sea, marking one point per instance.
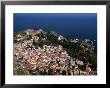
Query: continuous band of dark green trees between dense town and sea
point(74, 49)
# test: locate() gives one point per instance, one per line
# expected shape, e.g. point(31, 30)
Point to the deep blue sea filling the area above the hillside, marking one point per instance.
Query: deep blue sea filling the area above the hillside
point(70, 25)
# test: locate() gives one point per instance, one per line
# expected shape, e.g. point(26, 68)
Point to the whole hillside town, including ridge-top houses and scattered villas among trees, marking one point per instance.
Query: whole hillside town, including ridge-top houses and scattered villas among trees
point(33, 55)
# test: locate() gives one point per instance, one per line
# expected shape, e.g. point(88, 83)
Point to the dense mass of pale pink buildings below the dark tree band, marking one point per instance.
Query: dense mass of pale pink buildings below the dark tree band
point(52, 60)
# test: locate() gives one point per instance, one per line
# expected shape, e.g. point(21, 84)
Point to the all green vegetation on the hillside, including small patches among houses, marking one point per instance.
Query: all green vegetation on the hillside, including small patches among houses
point(81, 49)
